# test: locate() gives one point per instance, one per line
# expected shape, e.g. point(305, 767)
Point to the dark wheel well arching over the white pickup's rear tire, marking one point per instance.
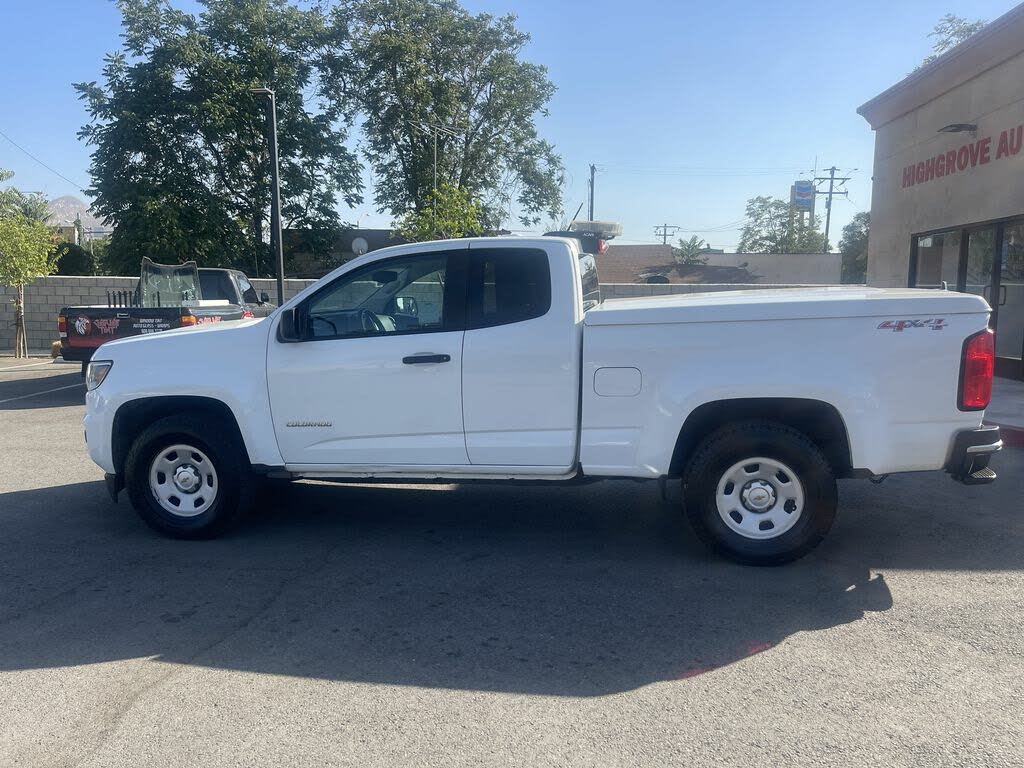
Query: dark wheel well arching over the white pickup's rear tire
point(820, 421)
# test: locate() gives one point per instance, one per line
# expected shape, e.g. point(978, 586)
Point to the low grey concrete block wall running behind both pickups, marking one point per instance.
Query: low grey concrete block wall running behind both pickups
point(47, 297)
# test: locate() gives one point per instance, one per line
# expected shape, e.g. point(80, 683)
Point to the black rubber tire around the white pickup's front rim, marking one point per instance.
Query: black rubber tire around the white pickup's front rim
point(218, 442)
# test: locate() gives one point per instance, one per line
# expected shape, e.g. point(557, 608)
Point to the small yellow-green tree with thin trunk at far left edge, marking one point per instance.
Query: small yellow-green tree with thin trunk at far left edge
point(26, 254)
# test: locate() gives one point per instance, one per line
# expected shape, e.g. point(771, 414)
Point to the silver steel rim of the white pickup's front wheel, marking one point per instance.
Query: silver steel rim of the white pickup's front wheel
point(184, 481)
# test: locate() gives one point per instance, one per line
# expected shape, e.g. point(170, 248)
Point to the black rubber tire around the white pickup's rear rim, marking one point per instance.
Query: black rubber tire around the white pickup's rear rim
point(734, 444)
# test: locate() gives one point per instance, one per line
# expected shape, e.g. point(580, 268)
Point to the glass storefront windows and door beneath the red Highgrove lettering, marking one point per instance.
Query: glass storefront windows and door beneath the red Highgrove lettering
point(988, 262)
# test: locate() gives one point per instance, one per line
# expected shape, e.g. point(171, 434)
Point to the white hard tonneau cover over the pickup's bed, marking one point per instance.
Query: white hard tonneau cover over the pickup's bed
point(785, 304)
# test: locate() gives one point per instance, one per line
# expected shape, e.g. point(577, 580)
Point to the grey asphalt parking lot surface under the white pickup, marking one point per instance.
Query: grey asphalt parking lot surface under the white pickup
point(494, 625)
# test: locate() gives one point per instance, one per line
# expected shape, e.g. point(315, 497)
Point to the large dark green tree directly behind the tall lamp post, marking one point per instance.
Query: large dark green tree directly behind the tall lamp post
point(180, 161)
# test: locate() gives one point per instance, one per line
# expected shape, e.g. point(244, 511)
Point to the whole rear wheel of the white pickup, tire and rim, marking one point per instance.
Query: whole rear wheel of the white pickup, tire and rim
point(760, 493)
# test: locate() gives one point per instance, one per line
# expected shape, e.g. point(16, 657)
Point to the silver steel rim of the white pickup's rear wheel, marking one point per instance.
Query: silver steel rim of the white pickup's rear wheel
point(760, 498)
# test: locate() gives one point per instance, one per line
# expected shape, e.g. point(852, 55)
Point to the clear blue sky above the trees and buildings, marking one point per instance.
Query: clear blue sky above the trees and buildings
point(688, 109)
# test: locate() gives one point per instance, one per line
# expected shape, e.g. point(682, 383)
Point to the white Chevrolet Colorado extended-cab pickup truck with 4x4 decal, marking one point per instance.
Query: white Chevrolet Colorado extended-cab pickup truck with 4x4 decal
point(496, 360)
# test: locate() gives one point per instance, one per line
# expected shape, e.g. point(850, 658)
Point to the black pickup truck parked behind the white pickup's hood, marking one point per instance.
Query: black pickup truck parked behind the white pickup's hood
point(165, 297)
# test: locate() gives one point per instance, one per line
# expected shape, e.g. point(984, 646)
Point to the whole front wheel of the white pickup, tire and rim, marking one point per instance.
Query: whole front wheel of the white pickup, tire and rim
point(187, 477)
